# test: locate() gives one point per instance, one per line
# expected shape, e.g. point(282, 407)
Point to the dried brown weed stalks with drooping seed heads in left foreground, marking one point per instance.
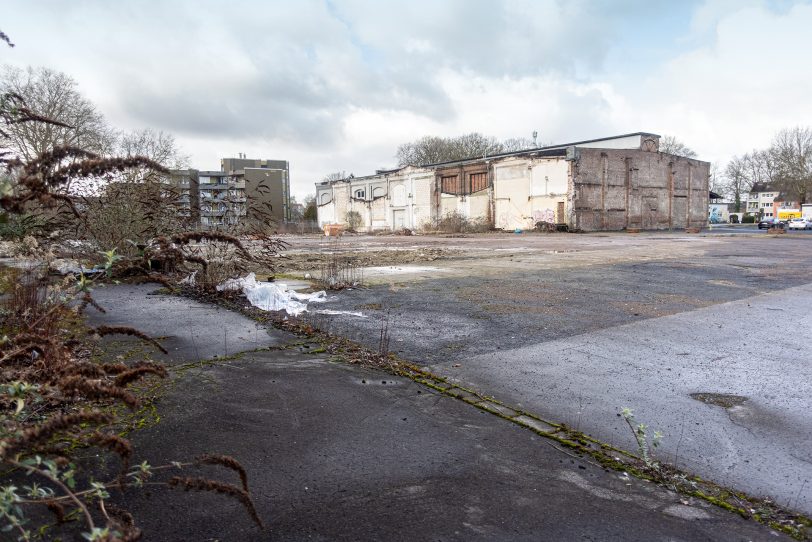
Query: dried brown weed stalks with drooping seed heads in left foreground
point(54, 398)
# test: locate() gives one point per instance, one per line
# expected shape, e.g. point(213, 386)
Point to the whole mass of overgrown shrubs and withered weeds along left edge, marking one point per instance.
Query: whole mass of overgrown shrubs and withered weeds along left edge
point(57, 396)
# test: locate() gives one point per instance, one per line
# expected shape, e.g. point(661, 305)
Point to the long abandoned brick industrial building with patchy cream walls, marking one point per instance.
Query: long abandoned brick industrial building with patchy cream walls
point(613, 183)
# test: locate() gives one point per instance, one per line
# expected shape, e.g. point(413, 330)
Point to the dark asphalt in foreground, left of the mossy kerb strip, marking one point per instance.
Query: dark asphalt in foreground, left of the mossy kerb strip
point(341, 452)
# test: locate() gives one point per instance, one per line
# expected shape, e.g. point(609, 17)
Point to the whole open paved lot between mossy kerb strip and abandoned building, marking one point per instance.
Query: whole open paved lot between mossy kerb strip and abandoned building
point(576, 327)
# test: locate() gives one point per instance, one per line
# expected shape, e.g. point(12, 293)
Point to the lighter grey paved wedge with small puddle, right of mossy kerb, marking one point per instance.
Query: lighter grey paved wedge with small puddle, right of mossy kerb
point(763, 445)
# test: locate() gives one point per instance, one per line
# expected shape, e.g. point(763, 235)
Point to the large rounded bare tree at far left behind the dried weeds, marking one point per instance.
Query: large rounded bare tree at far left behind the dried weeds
point(53, 95)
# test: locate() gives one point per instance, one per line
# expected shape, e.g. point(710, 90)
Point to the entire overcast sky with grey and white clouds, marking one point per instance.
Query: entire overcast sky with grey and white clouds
point(337, 85)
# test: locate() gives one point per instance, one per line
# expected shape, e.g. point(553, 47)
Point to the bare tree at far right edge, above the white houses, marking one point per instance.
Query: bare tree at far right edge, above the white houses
point(792, 149)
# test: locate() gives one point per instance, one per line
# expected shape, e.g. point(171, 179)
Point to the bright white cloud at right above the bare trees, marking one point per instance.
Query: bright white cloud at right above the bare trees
point(734, 93)
